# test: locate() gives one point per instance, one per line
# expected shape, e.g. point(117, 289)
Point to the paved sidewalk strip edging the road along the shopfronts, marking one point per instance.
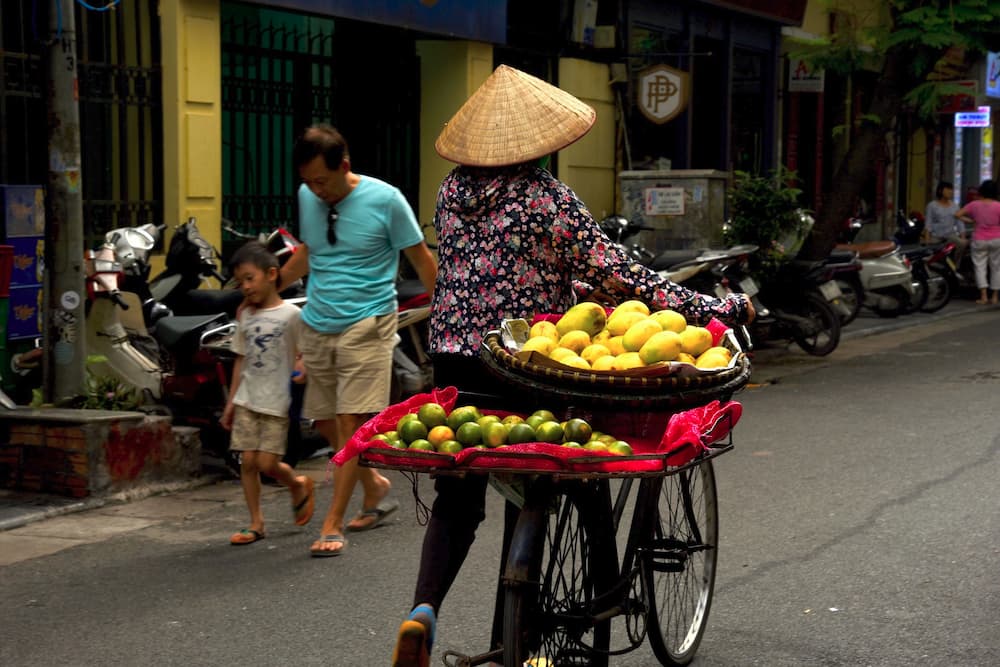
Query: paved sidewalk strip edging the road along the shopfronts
point(18, 509)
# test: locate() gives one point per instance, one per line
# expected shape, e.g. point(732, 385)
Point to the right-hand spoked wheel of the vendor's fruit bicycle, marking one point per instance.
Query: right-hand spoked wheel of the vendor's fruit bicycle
point(678, 560)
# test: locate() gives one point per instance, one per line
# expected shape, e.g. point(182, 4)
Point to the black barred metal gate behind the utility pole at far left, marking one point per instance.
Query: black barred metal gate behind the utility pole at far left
point(121, 123)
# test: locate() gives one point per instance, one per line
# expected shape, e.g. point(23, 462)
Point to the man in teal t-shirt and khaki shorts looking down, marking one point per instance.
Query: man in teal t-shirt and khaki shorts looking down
point(352, 229)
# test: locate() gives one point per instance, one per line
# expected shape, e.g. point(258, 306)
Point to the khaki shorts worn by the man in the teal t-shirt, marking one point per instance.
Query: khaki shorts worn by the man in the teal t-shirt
point(349, 373)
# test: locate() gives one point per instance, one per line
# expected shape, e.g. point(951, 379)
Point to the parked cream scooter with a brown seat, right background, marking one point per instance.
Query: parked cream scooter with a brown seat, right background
point(888, 283)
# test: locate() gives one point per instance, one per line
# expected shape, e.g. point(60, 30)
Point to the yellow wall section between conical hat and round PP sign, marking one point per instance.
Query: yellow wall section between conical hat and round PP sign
point(588, 166)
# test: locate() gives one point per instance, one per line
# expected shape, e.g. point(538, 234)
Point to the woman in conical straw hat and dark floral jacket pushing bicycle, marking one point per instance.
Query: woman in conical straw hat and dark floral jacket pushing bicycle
point(512, 242)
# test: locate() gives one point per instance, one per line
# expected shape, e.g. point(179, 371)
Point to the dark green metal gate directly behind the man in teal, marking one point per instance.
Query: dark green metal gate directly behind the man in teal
point(282, 71)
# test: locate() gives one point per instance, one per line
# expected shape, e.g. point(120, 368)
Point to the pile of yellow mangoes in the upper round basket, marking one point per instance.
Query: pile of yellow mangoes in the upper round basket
point(585, 337)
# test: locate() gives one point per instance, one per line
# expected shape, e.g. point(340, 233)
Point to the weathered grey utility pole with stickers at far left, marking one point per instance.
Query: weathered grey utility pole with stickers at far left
point(63, 318)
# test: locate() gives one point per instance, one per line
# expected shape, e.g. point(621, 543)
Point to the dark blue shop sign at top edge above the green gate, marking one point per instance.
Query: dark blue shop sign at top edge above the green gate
point(481, 20)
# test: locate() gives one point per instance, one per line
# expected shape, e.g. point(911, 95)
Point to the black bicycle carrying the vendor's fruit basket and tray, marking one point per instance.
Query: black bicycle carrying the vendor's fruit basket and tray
point(563, 582)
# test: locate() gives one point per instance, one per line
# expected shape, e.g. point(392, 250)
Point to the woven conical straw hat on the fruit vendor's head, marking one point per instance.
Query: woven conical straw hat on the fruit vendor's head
point(513, 117)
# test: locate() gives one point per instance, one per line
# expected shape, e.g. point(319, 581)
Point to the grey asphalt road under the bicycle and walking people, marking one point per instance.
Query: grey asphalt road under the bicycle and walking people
point(859, 526)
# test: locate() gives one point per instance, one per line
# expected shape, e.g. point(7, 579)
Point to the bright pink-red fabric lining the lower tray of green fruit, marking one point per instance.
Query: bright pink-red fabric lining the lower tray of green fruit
point(687, 435)
